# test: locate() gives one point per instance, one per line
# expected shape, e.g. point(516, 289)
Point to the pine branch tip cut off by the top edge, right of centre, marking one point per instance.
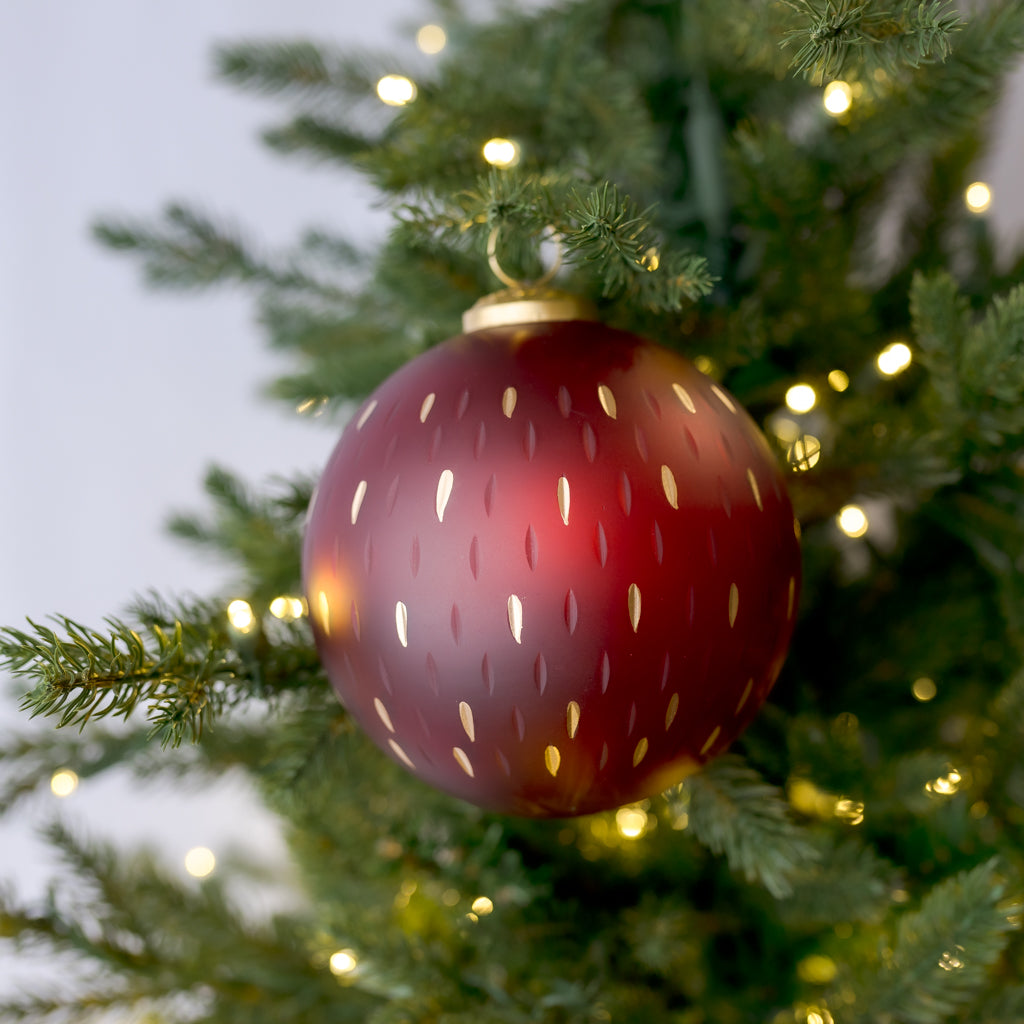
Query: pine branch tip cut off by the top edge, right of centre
point(838, 32)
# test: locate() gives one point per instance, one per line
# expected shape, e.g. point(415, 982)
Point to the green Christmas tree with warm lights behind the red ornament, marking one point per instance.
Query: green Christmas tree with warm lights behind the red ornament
point(784, 194)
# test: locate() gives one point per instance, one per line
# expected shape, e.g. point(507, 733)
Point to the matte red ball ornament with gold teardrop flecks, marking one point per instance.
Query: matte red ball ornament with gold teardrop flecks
point(551, 567)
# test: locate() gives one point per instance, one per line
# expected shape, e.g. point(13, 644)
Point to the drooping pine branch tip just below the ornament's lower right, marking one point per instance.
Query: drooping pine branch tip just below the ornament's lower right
point(733, 810)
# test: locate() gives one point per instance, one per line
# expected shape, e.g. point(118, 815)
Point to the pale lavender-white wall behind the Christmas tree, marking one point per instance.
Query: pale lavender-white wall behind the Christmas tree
point(113, 400)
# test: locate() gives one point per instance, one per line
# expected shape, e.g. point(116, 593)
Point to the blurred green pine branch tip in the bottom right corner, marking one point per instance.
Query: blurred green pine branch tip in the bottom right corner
point(944, 953)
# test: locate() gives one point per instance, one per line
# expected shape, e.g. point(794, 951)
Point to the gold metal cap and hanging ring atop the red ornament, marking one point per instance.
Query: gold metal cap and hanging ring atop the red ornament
point(525, 303)
